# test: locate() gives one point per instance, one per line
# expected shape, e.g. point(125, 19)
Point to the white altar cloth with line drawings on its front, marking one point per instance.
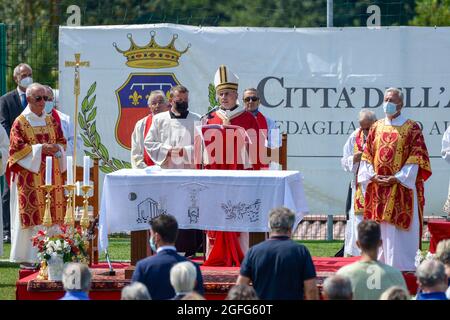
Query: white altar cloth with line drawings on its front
point(225, 200)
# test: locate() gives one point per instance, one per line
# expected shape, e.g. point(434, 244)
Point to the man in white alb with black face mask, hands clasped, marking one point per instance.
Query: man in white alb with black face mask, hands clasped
point(170, 142)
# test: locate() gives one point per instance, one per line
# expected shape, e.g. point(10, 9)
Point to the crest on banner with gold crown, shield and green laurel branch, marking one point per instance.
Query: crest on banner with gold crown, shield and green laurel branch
point(132, 98)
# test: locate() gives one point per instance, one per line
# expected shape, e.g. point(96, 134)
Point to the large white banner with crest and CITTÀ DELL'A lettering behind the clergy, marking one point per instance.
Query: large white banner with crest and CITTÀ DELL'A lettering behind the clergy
point(313, 82)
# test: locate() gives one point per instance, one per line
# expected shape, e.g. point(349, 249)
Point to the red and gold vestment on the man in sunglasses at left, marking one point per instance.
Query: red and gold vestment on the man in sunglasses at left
point(31, 197)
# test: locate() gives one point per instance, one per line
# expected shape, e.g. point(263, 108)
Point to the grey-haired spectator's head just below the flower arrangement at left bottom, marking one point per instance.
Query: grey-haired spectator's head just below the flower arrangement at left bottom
point(76, 277)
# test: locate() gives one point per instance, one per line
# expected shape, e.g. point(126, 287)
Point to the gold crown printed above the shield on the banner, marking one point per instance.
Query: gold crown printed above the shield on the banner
point(152, 56)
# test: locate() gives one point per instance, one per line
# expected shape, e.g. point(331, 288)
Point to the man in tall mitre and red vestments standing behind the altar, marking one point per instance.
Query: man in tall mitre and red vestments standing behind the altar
point(235, 151)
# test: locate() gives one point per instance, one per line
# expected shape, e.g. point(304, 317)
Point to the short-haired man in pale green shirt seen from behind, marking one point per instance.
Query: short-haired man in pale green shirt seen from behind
point(369, 277)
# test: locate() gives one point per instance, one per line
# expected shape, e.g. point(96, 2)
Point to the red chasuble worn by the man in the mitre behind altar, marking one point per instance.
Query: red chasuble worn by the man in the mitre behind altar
point(226, 250)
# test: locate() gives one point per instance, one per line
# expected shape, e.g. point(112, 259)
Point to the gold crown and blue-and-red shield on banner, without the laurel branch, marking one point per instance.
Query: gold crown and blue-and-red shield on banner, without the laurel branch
point(132, 96)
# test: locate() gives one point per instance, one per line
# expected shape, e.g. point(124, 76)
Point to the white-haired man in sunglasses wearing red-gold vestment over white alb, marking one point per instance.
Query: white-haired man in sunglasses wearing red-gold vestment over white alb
point(34, 136)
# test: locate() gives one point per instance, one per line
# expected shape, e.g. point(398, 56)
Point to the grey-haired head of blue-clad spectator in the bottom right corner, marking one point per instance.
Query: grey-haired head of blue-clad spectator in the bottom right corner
point(431, 274)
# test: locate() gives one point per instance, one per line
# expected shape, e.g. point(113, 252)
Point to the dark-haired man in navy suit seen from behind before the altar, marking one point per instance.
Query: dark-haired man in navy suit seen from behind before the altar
point(154, 271)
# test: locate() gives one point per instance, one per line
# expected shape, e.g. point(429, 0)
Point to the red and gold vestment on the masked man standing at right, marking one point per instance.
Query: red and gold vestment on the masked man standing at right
point(388, 149)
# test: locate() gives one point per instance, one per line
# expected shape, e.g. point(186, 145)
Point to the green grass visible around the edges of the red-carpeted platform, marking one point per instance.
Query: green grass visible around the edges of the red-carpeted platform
point(119, 249)
